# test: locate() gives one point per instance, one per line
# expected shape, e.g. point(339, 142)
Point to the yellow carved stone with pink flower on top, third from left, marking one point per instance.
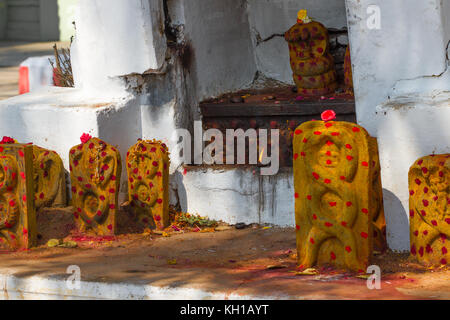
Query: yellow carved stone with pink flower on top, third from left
point(95, 169)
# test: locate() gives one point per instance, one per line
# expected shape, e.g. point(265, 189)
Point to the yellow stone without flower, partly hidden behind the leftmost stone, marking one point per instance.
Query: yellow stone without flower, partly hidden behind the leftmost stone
point(49, 179)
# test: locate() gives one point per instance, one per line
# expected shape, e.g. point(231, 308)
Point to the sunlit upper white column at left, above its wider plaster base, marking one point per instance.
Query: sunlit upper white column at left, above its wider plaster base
point(115, 38)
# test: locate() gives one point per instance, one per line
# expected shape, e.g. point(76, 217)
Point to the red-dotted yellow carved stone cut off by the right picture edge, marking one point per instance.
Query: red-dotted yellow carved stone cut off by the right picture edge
point(429, 205)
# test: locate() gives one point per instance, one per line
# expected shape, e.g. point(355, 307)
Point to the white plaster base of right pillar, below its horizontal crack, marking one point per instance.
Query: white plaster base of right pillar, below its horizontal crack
point(409, 128)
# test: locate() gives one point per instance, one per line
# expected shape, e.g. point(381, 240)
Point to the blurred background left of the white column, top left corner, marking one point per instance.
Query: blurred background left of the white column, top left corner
point(30, 28)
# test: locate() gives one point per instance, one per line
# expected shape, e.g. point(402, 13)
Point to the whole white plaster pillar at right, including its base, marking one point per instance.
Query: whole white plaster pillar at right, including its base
point(404, 56)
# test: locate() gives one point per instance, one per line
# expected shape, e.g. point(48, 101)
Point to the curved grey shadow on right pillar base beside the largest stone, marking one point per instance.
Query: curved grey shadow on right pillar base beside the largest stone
point(397, 220)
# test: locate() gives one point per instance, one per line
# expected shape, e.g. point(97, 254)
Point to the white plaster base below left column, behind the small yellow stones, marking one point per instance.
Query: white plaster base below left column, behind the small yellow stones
point(55, 119)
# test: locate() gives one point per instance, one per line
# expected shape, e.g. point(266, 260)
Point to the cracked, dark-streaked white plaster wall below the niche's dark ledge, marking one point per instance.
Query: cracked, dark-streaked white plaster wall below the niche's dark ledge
point(237, 195)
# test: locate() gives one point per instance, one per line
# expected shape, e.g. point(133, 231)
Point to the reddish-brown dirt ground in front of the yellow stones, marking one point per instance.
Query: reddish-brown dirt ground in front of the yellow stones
point(257, 261)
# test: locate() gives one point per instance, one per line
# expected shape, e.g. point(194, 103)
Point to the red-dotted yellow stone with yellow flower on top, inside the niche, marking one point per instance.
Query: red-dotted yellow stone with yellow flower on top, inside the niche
point(312, 64)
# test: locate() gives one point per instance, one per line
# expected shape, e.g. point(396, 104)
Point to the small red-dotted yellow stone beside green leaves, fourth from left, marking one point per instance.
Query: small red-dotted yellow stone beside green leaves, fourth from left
point(148, 183)
